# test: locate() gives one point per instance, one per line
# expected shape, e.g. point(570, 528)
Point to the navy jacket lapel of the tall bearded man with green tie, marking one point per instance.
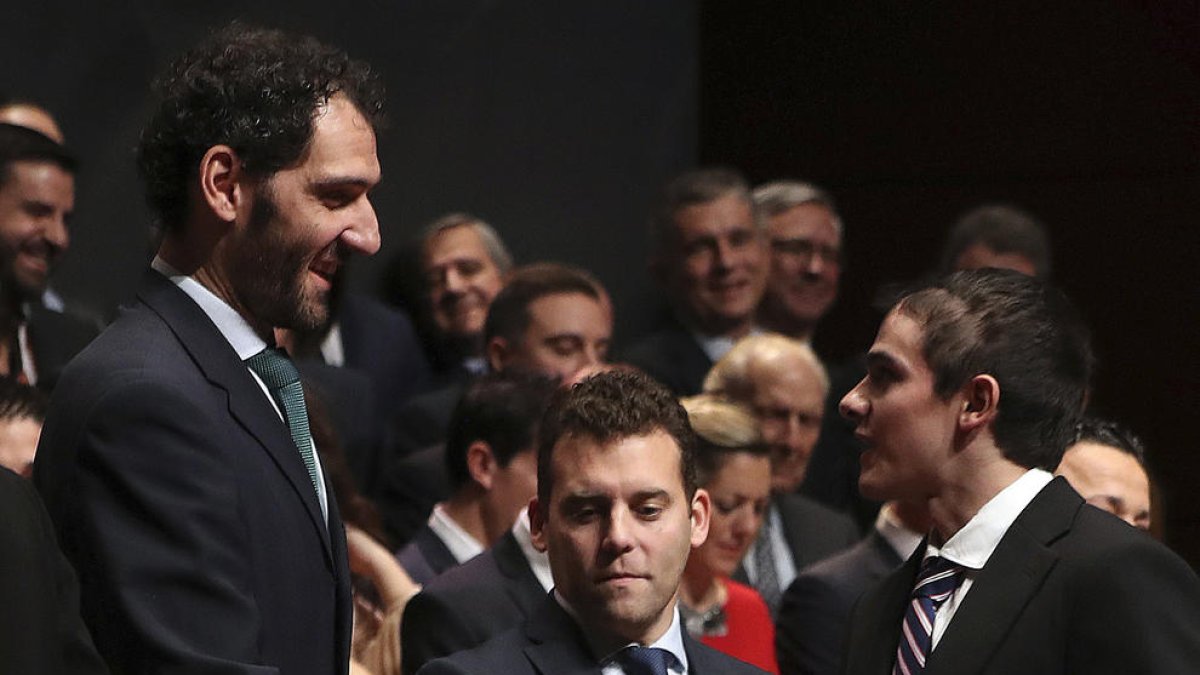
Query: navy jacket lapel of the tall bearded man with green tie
point(248, 404)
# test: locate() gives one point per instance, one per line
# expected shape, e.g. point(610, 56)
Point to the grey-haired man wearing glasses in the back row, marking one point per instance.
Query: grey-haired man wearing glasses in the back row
point(806, 256)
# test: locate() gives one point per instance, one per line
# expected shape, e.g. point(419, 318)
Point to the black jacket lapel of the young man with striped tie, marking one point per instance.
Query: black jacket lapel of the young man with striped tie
point(1005, 587)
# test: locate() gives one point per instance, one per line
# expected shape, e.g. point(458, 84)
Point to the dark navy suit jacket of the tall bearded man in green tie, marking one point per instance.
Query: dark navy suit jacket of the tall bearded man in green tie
point(185, 507)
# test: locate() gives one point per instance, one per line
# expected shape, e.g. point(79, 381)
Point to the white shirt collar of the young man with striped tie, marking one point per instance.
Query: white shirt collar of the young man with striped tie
point(974, 545)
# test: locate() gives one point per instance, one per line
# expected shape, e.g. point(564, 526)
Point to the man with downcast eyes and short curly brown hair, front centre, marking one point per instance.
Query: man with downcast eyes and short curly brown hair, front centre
point(617, 512)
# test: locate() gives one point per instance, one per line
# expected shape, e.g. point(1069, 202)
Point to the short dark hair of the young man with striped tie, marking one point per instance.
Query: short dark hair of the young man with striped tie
point(1027, 336)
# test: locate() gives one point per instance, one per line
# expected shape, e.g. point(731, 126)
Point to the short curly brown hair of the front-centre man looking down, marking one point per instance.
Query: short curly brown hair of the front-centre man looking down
point(609, 408)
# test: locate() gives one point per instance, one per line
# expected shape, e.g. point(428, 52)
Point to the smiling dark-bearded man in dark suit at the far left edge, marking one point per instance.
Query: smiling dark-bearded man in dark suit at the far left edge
point(39, 336)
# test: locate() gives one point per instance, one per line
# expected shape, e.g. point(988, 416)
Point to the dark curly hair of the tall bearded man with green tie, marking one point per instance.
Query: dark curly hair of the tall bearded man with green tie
point(254, 89)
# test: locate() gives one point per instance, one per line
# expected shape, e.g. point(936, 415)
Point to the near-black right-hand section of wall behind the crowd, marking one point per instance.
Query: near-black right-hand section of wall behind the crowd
point(1084, 112)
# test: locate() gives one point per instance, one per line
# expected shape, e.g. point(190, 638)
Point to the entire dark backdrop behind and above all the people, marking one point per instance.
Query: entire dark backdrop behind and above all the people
point(557, 122)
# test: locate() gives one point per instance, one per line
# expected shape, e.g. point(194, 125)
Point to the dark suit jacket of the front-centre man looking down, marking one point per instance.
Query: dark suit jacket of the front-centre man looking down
point(553, 644)
